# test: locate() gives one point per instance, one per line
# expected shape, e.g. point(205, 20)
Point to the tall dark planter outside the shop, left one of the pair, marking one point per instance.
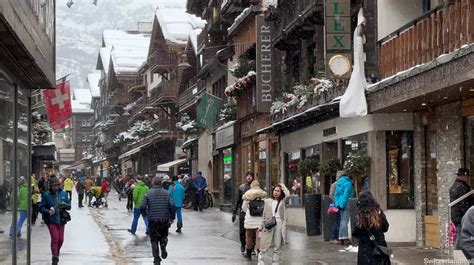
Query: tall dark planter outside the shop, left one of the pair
point(313, 214)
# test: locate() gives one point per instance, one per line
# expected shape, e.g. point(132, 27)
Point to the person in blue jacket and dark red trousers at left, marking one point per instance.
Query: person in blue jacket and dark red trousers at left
point(54, 206)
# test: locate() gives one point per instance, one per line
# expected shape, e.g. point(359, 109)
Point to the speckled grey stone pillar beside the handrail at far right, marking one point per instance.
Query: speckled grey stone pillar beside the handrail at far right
point(449, 154)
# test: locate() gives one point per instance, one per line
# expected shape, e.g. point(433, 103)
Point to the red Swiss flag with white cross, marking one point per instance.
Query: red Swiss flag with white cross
point(58, 104)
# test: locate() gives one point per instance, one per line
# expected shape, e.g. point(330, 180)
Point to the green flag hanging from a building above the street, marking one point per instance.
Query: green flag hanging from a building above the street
point(208, 109)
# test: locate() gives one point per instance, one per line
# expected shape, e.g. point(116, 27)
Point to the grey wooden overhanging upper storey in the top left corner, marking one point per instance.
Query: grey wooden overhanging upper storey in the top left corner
point(33, 46)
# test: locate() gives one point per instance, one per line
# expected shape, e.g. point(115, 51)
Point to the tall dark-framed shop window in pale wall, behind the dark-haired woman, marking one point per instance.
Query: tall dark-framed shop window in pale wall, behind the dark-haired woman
point(400, 170)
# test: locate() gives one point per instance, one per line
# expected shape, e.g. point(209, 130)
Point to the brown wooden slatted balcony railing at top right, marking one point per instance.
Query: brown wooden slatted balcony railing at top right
point(442, 30)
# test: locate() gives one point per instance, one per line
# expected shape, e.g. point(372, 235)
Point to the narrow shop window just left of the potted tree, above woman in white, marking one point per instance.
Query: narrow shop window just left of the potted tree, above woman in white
point(293, 182)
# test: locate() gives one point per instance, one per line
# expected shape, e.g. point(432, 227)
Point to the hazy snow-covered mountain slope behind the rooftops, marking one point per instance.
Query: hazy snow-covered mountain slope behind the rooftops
point(79, 31)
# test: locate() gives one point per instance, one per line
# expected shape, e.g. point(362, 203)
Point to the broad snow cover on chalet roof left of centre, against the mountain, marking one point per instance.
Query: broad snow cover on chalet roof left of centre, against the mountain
point(128, 50)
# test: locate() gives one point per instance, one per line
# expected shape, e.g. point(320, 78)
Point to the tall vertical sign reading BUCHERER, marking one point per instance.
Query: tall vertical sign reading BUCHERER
point(265, 88)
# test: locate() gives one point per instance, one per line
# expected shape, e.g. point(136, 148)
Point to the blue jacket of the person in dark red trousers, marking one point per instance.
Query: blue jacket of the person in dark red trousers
point(53, 199)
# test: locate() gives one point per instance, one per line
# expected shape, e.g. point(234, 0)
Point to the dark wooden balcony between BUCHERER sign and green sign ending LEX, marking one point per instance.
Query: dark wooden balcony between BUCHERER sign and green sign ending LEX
point(295, 14)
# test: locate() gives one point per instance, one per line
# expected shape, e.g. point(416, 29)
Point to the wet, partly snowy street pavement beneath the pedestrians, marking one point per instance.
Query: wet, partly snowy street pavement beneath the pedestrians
point(100, 236)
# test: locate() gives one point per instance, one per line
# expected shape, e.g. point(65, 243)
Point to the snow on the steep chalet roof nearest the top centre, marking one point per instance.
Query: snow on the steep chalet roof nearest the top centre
point(176, 24)
